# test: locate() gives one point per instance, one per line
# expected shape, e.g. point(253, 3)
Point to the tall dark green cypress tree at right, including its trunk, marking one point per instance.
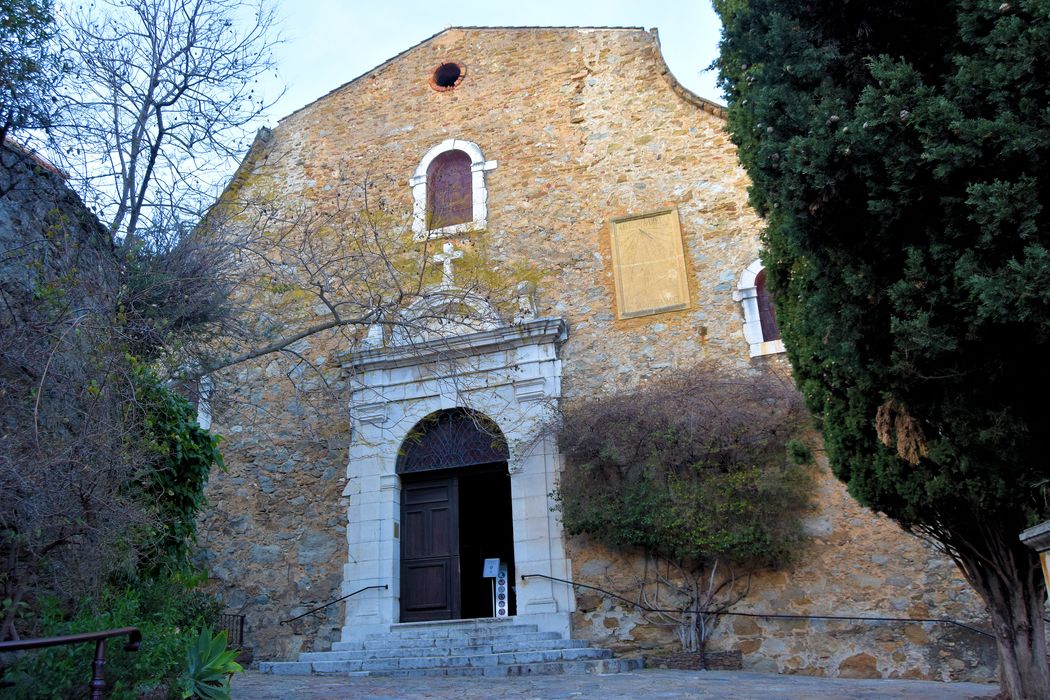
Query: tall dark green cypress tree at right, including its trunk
point(900, 154)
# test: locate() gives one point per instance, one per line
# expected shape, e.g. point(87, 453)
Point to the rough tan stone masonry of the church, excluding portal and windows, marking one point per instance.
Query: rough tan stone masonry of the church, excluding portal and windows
point(586, 125)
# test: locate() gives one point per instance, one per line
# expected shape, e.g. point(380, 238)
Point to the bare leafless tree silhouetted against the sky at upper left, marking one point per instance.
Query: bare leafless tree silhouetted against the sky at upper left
point(161, 98)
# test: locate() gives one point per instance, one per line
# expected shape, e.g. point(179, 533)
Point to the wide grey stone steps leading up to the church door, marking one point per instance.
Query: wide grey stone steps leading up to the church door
point(461, 648)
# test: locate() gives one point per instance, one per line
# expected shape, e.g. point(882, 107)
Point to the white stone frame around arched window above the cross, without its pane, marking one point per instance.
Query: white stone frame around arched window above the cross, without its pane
point(479, 195)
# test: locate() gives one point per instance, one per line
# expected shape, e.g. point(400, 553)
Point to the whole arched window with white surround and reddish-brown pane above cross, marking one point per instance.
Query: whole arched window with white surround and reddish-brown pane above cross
point(449, 190)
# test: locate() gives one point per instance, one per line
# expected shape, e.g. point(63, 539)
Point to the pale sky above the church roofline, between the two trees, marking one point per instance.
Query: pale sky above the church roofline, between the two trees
point(330, 43)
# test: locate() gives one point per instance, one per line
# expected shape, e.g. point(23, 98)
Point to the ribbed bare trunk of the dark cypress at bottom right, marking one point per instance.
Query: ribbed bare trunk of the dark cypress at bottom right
point(1010, 579)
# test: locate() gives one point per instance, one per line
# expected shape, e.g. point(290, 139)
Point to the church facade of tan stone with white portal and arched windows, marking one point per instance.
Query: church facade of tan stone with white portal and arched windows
point(577, 153)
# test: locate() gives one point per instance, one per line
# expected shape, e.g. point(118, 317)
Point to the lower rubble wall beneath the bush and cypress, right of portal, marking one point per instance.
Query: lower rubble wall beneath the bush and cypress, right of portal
point(857, 563)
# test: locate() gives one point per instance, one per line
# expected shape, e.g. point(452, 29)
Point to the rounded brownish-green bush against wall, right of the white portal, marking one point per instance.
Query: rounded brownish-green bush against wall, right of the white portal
point(698, 474)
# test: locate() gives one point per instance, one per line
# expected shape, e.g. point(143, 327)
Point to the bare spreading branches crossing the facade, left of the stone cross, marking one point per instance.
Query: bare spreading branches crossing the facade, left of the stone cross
point(338, 272)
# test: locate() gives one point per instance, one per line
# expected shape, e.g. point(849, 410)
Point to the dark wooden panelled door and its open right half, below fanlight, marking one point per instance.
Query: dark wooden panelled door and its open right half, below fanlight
point(452, 522)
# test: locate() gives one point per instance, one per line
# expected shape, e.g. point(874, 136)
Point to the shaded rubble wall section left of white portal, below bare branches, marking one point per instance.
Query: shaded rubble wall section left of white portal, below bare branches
point(274, 535)
